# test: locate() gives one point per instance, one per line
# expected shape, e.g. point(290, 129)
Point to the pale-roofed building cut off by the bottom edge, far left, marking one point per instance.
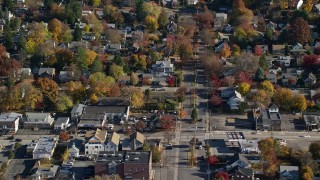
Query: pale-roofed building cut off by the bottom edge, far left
point(45, 172)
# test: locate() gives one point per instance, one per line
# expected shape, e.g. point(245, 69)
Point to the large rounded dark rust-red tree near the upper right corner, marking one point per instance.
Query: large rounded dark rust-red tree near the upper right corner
point(299, 31)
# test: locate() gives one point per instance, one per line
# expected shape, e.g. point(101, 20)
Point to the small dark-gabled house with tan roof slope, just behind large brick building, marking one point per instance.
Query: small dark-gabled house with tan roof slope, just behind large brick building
point(134, 142)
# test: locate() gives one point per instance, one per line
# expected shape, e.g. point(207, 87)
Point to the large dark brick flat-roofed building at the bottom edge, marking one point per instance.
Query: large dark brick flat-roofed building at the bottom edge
point(127, 164)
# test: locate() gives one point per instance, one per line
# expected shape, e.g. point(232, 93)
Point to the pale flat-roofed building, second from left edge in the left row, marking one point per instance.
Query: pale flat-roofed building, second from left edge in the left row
point(38, 120)
